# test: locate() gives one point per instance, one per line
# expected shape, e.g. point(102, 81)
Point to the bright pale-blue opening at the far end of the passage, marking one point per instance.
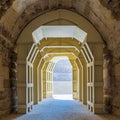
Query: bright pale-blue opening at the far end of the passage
point(62, 80)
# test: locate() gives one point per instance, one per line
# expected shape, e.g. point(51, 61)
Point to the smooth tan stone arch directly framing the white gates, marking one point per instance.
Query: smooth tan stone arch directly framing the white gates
point(25, 42)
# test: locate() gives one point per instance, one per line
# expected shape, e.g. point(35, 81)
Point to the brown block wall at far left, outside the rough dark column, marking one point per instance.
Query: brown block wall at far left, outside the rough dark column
point(5, 84)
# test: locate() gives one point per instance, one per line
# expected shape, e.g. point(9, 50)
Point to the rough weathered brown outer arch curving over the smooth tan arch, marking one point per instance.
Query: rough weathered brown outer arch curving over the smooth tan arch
point(96, 14)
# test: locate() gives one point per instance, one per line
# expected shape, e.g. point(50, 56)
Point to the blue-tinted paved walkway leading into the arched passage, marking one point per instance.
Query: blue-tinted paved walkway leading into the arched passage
point(54, 109)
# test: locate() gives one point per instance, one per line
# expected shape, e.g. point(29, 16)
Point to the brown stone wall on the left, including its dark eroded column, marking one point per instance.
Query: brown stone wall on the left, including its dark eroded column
point(8, 75)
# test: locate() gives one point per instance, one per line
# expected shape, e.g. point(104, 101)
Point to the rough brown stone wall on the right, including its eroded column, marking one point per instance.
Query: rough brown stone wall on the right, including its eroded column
point(111, 77)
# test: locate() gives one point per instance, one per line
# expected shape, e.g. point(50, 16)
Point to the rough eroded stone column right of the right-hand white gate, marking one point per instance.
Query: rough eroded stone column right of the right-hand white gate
point(108, 83)
